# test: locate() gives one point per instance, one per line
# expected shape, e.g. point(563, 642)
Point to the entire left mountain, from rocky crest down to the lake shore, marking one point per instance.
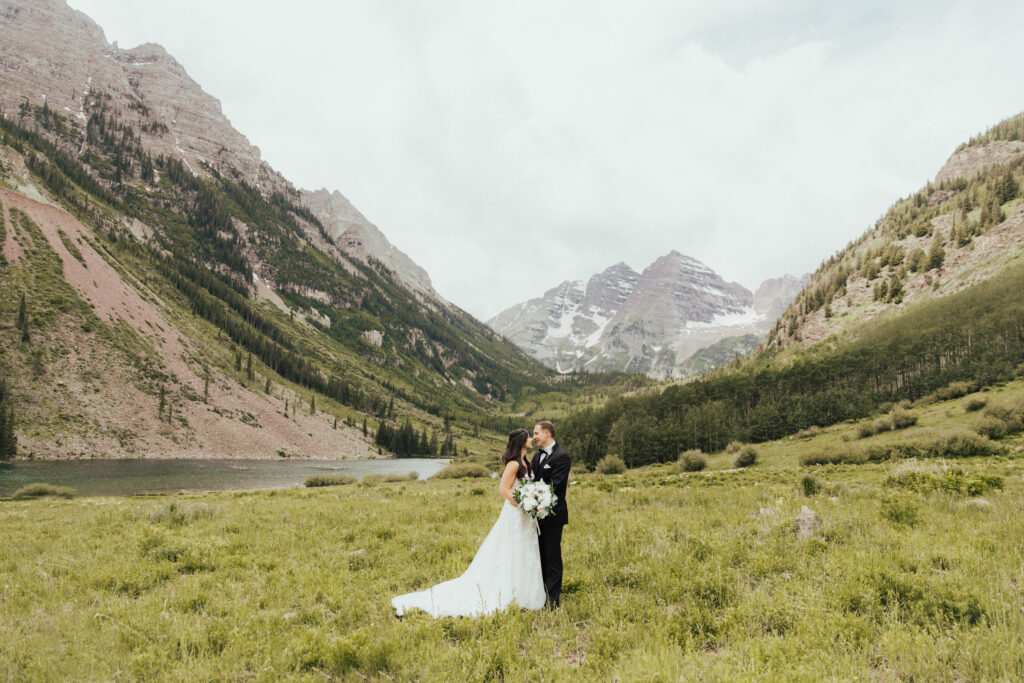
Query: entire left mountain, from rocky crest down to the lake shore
point(164, 291)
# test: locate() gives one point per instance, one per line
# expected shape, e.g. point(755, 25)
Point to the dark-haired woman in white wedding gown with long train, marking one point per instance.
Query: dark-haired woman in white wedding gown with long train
point(506, 569)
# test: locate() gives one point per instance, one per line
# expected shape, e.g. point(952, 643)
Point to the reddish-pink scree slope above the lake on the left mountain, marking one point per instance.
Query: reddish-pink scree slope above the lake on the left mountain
point(100, 408)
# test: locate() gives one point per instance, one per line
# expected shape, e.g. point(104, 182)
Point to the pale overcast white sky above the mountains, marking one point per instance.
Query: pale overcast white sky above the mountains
point(507, 147)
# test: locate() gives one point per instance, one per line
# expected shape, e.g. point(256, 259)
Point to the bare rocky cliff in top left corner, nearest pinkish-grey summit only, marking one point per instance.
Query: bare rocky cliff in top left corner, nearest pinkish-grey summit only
point(55, 55)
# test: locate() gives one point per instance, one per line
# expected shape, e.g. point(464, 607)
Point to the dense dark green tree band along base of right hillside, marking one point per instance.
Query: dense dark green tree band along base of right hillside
point(975, 336)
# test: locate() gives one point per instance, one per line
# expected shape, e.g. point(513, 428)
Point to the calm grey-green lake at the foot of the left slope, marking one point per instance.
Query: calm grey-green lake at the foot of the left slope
point(127, 478)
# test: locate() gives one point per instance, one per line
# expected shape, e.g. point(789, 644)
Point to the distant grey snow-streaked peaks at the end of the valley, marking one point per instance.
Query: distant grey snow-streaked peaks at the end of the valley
point(650, 323)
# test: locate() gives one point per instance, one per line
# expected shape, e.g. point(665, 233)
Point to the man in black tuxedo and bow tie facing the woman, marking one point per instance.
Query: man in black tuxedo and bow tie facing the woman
point(551, 465)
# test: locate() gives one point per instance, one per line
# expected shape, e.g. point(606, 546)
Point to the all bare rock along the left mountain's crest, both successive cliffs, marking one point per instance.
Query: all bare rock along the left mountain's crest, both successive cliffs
point(55, 56)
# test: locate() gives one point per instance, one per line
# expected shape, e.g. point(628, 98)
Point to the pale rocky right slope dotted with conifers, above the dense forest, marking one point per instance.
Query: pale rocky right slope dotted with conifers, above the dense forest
point(955, 233)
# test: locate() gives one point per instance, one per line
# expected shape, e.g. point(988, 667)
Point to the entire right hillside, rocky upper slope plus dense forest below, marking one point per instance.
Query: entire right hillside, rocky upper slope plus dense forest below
point(926, 306)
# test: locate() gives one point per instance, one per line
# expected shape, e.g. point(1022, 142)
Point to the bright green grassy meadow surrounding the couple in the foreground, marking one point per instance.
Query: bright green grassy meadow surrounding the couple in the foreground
point(670, 575)
